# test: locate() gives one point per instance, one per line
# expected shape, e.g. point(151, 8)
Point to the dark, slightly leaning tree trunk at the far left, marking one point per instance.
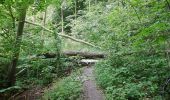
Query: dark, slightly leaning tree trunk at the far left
point(16, 51)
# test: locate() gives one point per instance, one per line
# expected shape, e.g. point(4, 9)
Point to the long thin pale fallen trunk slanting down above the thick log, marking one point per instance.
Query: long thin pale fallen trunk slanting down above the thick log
point(63, 35)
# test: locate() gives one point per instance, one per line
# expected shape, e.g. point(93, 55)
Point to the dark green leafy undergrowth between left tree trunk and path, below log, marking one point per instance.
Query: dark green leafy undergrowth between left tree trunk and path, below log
point(43, 71)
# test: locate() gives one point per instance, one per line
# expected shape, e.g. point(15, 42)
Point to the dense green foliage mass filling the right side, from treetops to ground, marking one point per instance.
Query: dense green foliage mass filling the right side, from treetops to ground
point(135, 35)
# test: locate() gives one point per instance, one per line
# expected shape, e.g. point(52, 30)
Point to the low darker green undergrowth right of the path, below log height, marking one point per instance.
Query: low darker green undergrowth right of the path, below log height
point(125, 80)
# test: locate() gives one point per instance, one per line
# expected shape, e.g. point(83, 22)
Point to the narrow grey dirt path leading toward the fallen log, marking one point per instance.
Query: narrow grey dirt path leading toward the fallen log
point(91, 91)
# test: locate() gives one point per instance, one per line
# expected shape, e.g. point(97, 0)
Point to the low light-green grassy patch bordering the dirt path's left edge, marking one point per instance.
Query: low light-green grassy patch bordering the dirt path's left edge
point(67, 88)
